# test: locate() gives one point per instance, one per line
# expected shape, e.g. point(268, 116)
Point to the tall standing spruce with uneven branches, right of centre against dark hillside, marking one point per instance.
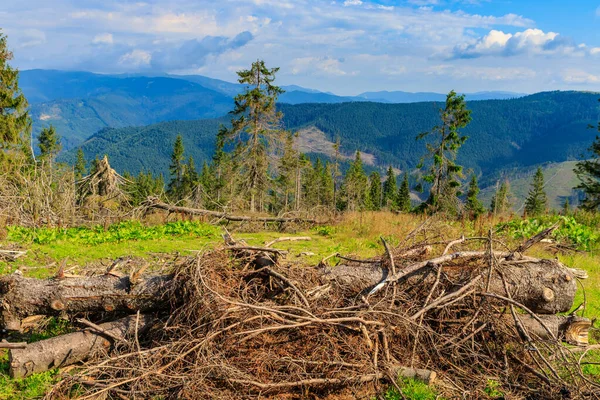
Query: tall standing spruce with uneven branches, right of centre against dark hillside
point(444, 174)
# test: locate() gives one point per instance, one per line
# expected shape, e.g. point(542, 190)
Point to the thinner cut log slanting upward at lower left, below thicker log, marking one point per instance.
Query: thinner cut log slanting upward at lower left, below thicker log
point(60, 351)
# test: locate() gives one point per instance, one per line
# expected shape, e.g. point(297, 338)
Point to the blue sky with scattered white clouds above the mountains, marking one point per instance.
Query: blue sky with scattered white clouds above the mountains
point(343, 46)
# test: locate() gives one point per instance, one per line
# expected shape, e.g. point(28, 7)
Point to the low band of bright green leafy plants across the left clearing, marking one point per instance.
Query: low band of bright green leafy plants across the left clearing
point(123, 231)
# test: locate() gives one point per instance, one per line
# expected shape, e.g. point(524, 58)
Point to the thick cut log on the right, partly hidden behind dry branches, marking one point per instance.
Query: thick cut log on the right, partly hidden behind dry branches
point(544, 286)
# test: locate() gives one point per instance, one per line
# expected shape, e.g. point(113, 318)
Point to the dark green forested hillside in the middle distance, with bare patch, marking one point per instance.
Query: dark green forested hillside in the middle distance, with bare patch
point(505, 135)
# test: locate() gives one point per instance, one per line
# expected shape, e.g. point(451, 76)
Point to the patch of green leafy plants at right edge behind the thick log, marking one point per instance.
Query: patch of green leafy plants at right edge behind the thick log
point(584, 237)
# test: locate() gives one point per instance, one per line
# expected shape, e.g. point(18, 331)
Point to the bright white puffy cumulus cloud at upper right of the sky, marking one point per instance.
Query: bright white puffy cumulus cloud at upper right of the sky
point(532, 41)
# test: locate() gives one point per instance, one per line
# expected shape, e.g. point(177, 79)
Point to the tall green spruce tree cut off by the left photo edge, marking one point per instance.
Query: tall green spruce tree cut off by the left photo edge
point(15, 124)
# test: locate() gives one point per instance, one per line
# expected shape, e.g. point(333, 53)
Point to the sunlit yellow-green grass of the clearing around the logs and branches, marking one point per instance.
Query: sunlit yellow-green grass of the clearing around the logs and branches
point(357, 234)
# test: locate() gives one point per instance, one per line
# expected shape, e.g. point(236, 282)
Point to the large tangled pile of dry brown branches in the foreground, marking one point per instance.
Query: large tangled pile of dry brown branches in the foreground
point(239, 323)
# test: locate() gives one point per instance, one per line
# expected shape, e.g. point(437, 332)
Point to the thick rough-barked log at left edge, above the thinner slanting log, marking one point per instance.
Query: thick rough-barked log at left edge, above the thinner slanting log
point(22, 297)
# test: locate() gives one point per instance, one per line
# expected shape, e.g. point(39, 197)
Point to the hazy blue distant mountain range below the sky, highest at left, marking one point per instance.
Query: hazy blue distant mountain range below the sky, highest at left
point(79, 104)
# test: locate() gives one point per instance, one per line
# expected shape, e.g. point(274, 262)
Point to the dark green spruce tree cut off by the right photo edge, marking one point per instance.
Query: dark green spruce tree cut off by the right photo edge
point(588, 172)
